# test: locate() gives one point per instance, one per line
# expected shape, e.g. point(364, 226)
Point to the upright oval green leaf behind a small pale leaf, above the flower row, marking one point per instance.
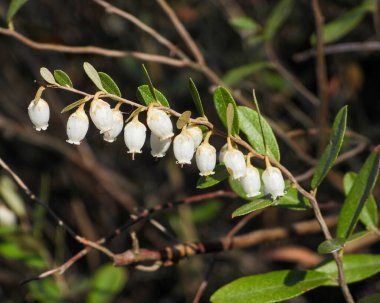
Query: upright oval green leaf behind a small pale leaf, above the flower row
point(222, 98)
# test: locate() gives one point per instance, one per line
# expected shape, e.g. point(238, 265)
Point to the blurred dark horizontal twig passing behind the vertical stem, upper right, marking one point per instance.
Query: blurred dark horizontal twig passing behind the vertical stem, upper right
point(341, 48)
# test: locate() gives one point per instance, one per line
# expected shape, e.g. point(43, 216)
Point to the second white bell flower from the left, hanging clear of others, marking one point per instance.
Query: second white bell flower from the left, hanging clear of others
point(77, 126)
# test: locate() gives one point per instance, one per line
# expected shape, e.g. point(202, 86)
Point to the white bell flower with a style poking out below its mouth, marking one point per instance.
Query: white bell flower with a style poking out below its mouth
point(134, 136)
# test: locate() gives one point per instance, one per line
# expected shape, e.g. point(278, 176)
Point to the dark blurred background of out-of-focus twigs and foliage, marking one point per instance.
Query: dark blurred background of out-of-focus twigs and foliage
point(95, 186)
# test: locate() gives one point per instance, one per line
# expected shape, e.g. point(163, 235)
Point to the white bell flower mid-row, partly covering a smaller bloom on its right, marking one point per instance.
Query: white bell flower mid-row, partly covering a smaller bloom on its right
point(183, 147)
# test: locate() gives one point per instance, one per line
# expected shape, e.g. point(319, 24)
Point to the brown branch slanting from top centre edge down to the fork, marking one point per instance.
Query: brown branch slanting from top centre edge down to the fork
point(182, 31)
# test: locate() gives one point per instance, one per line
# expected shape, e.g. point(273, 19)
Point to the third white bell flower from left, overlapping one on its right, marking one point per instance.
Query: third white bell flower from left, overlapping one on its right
point(101, 115)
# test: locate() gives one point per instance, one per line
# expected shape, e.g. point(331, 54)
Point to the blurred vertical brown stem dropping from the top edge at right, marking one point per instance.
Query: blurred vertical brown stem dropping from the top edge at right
point(321, 76)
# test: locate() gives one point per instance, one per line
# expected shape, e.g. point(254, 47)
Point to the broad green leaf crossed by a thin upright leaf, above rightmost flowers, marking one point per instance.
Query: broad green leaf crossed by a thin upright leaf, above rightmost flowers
point(250, 125)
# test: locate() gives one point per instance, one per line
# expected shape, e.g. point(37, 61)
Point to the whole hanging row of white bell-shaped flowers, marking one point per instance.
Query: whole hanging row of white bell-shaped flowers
point(189, 142)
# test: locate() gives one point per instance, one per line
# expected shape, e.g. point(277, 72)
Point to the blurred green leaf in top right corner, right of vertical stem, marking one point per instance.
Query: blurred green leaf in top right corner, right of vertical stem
point(341, 26)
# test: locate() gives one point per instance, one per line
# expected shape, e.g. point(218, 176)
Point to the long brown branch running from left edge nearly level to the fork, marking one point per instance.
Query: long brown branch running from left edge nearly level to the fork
point(92, 50)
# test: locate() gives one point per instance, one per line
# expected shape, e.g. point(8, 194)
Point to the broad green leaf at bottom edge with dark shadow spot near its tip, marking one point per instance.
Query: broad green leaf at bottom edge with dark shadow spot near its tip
point(269, 287)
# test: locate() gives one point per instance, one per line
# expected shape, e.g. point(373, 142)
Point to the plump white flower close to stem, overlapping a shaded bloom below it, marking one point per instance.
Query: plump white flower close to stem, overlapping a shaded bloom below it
point(159, 123)
